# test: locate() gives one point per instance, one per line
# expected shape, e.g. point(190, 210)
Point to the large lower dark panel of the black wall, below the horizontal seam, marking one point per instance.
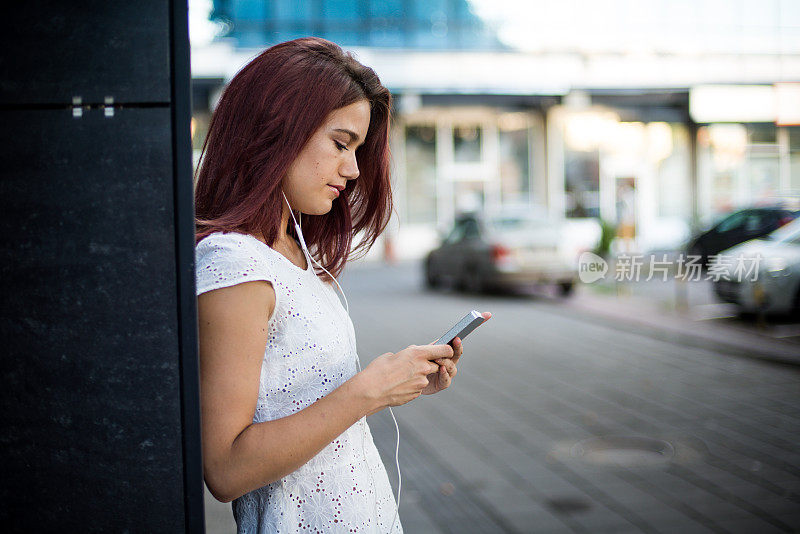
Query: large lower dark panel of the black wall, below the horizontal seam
point(87, 270)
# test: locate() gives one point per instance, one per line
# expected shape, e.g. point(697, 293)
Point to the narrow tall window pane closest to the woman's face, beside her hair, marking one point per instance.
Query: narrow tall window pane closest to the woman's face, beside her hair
point(421, 174)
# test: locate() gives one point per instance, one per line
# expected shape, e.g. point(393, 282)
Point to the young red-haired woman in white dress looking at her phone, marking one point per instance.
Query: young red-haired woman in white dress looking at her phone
point(301, 129)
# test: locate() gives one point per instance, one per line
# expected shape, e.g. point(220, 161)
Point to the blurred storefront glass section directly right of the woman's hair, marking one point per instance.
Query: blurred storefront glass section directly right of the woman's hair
point(464, 159)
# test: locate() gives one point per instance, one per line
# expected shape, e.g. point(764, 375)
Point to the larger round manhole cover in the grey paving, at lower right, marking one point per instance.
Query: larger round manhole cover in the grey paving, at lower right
point(623, 450)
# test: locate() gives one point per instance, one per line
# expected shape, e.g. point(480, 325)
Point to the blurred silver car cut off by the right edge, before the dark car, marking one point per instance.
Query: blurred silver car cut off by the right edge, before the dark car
point(775, 287)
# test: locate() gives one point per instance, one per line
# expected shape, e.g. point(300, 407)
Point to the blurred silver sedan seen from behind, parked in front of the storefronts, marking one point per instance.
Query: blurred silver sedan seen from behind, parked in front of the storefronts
point(500, 251)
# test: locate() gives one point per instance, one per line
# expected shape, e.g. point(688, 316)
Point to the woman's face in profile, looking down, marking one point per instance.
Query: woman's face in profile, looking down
point(328, 160)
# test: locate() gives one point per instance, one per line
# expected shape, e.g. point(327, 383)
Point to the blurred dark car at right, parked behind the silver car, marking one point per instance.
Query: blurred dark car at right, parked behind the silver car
point(741, 226)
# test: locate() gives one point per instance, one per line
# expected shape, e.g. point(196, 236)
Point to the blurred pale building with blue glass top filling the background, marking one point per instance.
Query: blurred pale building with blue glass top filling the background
point(655, 121)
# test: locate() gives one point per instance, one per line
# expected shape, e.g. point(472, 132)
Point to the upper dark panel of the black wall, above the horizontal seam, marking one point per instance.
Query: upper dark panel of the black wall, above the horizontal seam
point(89, 48)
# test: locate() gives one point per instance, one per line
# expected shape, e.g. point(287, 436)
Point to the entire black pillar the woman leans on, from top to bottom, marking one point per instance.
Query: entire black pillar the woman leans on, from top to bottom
point(99, 425)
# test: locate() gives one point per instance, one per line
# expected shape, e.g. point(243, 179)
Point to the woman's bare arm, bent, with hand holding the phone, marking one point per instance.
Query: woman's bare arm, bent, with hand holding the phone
point(240, 456)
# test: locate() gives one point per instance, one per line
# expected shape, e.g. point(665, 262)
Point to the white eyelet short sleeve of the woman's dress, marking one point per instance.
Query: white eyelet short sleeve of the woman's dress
point(224, 260)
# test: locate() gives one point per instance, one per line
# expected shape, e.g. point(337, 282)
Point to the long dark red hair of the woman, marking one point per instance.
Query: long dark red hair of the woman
point(264, 118)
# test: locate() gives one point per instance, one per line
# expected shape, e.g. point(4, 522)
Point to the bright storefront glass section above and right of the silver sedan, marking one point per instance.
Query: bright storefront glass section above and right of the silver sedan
point(636, 176)
